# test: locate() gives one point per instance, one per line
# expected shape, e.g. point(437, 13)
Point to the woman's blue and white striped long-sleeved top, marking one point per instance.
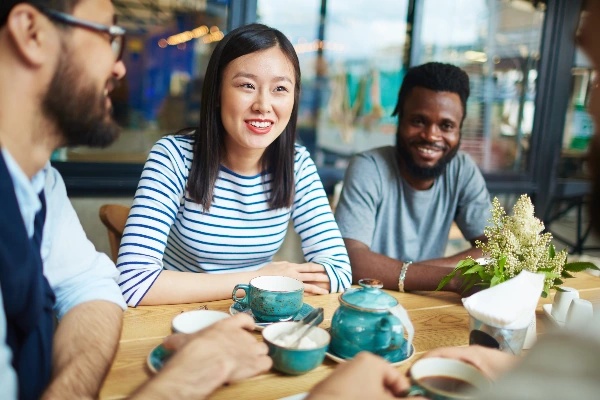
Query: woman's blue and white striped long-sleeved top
point(168, 230)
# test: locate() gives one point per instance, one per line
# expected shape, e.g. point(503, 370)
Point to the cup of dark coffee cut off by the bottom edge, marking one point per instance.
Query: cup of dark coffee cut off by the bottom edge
point(445, 379)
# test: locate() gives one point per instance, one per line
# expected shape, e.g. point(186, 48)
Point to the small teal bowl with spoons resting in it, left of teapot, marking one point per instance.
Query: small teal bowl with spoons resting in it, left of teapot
point(300, 360)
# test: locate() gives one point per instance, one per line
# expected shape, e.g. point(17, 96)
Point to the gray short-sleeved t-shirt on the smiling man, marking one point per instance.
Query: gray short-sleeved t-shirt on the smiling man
point(380, 209)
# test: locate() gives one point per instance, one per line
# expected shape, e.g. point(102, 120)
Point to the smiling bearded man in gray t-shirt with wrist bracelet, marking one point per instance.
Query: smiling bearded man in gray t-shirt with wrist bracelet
point(398, 204)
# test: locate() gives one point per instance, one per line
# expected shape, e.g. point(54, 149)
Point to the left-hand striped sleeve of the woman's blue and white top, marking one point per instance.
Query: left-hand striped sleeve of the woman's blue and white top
point(152, 214)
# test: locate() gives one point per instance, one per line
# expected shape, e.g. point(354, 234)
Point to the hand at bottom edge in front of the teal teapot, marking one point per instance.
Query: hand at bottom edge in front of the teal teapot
point(365, 377)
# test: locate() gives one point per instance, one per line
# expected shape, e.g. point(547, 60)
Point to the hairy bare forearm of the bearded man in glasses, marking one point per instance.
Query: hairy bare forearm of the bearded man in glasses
point(85, 344)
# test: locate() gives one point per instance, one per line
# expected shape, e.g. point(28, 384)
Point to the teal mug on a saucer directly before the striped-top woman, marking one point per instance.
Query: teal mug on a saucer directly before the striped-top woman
point(271, 298)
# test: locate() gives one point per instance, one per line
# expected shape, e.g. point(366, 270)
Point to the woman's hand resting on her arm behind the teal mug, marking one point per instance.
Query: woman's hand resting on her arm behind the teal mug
point(313, 275)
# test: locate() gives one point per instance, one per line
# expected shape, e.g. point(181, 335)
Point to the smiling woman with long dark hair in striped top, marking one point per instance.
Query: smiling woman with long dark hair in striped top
point(212, 207)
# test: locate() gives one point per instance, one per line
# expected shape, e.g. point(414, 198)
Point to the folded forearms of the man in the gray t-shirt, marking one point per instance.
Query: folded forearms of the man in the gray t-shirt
point(424, 275)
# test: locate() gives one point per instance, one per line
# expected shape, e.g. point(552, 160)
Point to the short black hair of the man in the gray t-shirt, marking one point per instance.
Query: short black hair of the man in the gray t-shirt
point(438, 77)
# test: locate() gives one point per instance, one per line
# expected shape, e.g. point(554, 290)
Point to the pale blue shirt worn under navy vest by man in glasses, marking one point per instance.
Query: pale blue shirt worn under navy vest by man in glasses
point(75, 270)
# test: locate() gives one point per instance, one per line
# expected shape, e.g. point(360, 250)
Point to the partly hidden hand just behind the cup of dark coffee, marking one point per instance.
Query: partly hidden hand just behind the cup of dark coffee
point(491, 362)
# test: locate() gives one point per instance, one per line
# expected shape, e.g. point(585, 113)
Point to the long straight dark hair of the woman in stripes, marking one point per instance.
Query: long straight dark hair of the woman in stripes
point(209, 146)
